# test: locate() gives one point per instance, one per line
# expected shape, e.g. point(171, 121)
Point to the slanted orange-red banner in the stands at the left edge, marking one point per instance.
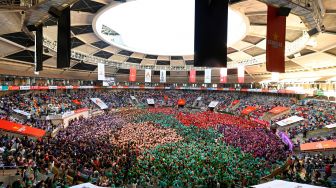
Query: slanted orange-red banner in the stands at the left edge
point(21, 129)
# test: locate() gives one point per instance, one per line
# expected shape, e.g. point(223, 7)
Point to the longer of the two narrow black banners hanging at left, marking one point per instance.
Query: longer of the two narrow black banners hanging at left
point(63, 35)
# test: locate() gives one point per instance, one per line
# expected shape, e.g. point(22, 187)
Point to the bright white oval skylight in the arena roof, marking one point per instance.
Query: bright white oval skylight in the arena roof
point(160, 27)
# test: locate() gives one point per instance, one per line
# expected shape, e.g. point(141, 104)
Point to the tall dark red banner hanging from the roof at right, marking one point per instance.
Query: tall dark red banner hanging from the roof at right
point(275, 45)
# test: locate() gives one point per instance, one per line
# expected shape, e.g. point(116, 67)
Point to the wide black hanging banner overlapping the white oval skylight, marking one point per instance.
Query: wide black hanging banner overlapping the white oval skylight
point(210, 42)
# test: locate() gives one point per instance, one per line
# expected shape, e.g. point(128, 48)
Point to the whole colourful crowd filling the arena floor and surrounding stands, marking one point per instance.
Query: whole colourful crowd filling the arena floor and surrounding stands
point(159, 146)
